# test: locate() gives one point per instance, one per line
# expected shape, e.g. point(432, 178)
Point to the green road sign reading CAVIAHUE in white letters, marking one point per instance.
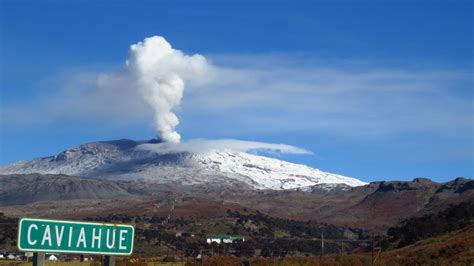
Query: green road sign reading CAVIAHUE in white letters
point(75, 237)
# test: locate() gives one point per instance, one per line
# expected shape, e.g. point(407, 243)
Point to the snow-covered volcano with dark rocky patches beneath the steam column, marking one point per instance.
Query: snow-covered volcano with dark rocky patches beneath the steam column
point(132, 160)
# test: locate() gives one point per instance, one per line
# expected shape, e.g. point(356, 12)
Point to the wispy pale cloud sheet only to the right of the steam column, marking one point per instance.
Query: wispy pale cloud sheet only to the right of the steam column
point(351, 100)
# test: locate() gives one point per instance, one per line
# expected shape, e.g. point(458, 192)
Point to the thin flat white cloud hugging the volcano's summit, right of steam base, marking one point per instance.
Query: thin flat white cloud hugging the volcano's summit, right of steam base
point(203, 145)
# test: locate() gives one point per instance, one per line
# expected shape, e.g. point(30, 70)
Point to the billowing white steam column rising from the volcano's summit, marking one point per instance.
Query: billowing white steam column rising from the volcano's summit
point(160, 73)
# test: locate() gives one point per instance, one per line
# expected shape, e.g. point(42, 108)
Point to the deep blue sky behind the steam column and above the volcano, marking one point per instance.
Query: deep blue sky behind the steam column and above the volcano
point(378, 90)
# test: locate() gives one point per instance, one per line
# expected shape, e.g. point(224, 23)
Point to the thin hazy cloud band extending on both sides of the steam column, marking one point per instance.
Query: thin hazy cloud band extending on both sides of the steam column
point(252, 94)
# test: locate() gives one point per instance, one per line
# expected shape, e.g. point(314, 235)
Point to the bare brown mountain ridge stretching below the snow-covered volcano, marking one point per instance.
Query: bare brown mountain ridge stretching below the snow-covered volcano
point(367, 207)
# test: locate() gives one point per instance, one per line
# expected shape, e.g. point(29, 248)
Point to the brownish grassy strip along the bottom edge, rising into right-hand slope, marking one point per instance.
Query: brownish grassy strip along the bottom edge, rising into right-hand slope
point(455, 248)
